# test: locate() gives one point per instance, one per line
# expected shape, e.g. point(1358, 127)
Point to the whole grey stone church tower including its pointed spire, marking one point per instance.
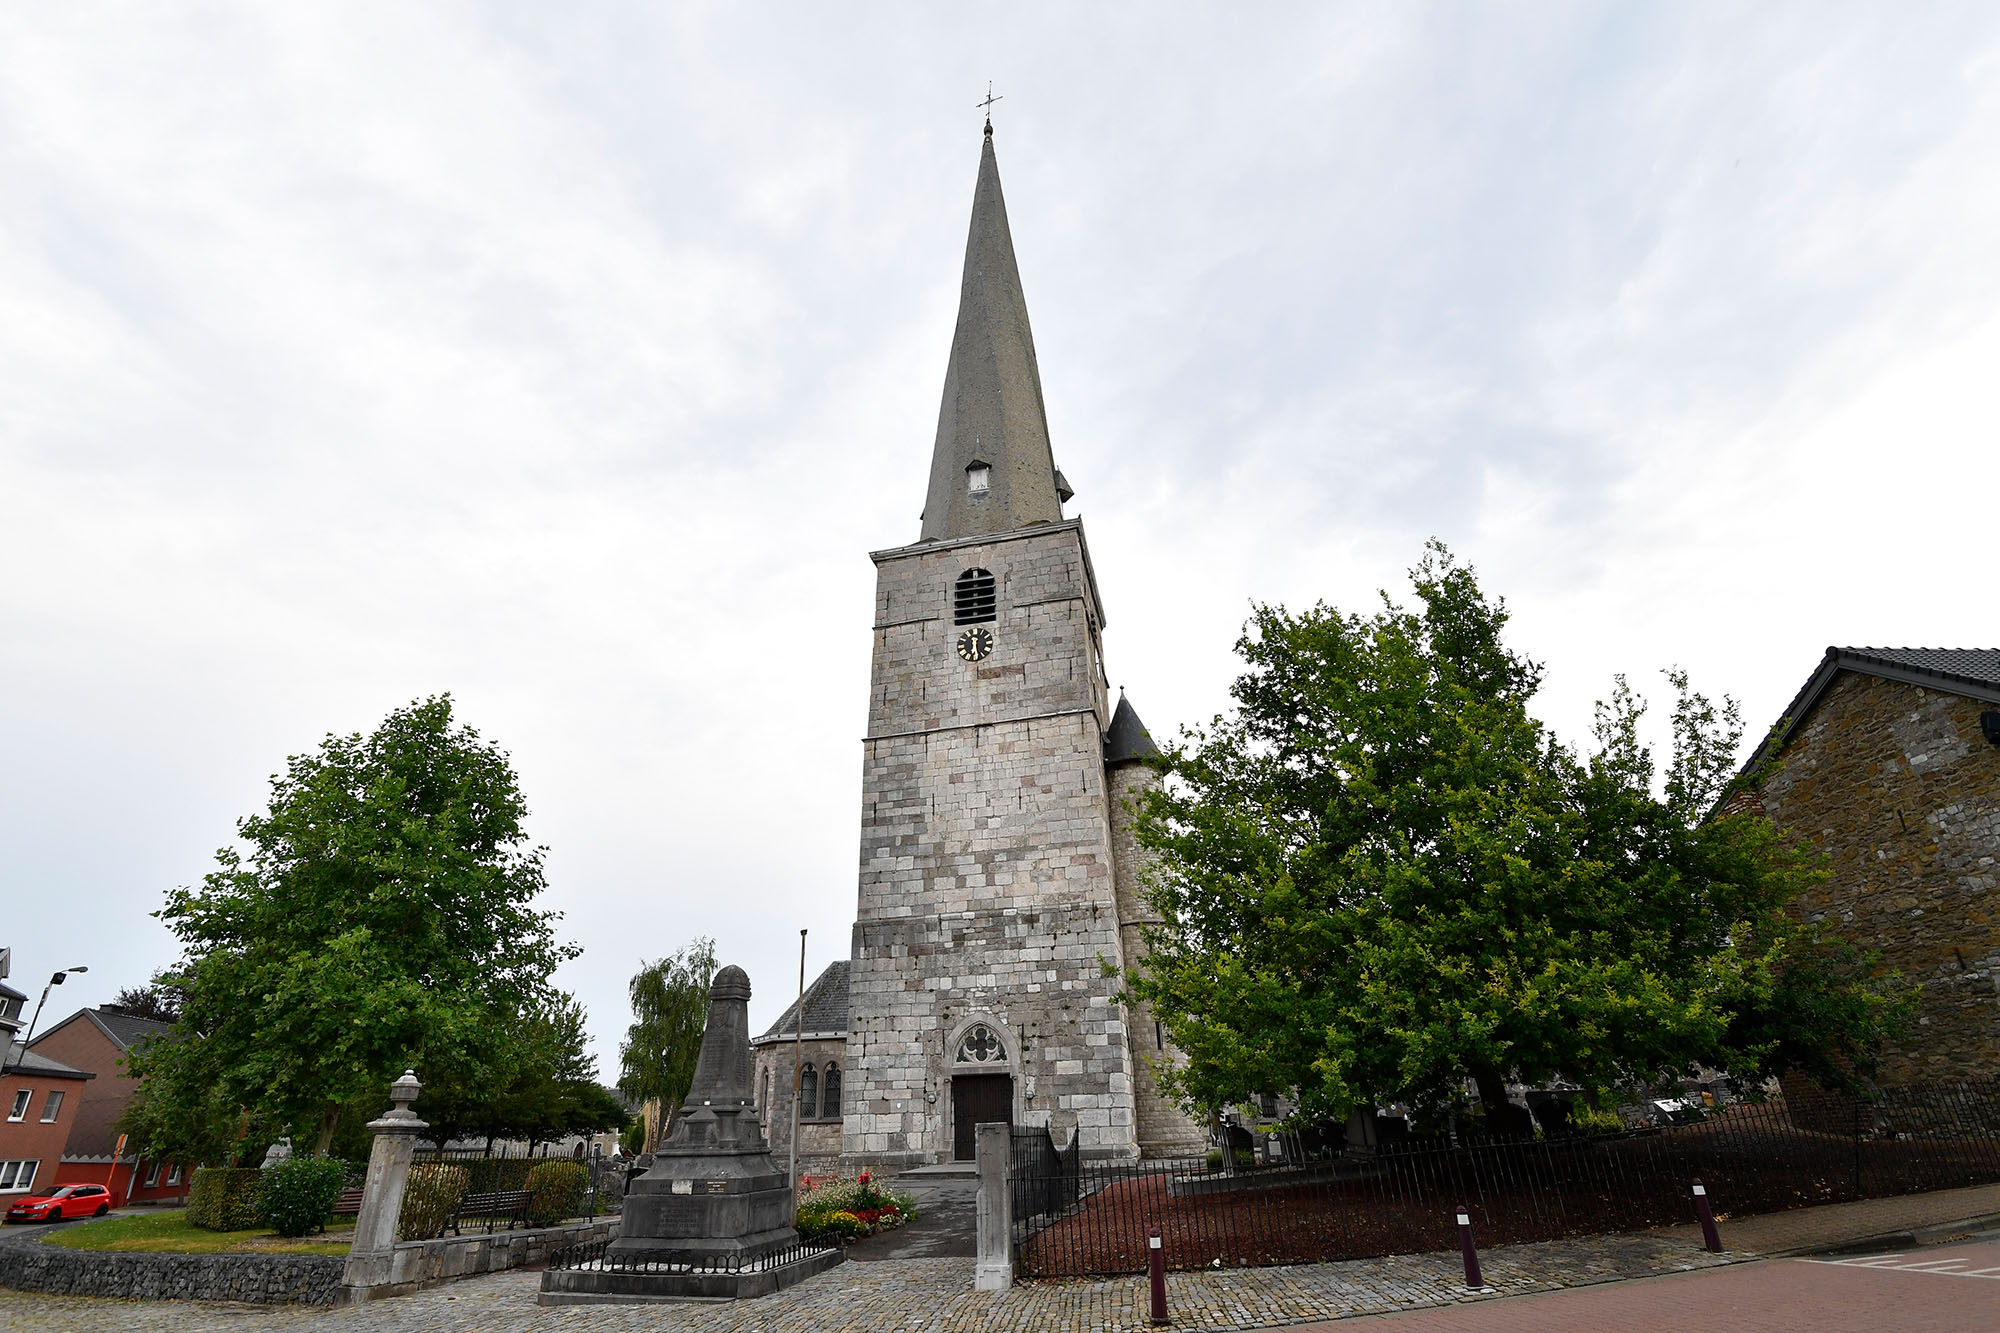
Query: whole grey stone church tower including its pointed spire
point(989, 882)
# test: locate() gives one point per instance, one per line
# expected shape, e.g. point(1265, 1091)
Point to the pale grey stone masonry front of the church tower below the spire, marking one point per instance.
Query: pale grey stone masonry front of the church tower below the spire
point(987, 864)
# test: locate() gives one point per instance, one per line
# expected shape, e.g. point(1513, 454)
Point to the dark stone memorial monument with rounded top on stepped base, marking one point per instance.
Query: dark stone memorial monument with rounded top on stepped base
point(713, 1218)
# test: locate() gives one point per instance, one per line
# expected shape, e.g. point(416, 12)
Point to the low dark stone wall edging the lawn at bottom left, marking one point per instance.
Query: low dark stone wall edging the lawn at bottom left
point(269, 1280)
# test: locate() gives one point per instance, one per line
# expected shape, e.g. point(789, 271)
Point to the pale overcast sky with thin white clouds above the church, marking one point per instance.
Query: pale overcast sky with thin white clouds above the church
point(571, 359)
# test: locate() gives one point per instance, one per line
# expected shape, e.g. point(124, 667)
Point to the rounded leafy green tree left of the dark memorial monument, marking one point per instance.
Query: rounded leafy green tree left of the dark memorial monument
point(383, 918)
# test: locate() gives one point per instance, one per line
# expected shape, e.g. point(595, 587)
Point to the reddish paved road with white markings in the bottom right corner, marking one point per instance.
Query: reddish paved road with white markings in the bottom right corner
point(1907, 1292)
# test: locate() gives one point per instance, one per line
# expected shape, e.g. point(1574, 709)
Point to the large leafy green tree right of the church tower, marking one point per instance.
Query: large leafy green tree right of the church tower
point(1381, 876)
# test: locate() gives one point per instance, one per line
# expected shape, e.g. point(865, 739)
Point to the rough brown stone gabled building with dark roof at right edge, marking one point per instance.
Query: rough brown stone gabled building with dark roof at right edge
point(1889, 762)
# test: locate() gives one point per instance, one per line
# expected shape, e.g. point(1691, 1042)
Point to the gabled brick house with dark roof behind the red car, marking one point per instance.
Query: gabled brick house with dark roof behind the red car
point(97, 1042)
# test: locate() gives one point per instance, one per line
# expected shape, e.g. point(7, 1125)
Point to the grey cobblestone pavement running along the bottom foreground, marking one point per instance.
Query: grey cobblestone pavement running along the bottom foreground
point(917, 1296)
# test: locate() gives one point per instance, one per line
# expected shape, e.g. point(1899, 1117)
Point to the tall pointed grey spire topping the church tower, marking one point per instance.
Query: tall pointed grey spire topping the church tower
point(993, 415)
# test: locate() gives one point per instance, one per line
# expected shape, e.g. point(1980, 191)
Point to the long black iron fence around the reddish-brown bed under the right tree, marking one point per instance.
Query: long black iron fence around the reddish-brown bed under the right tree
point(1353, 1202)
